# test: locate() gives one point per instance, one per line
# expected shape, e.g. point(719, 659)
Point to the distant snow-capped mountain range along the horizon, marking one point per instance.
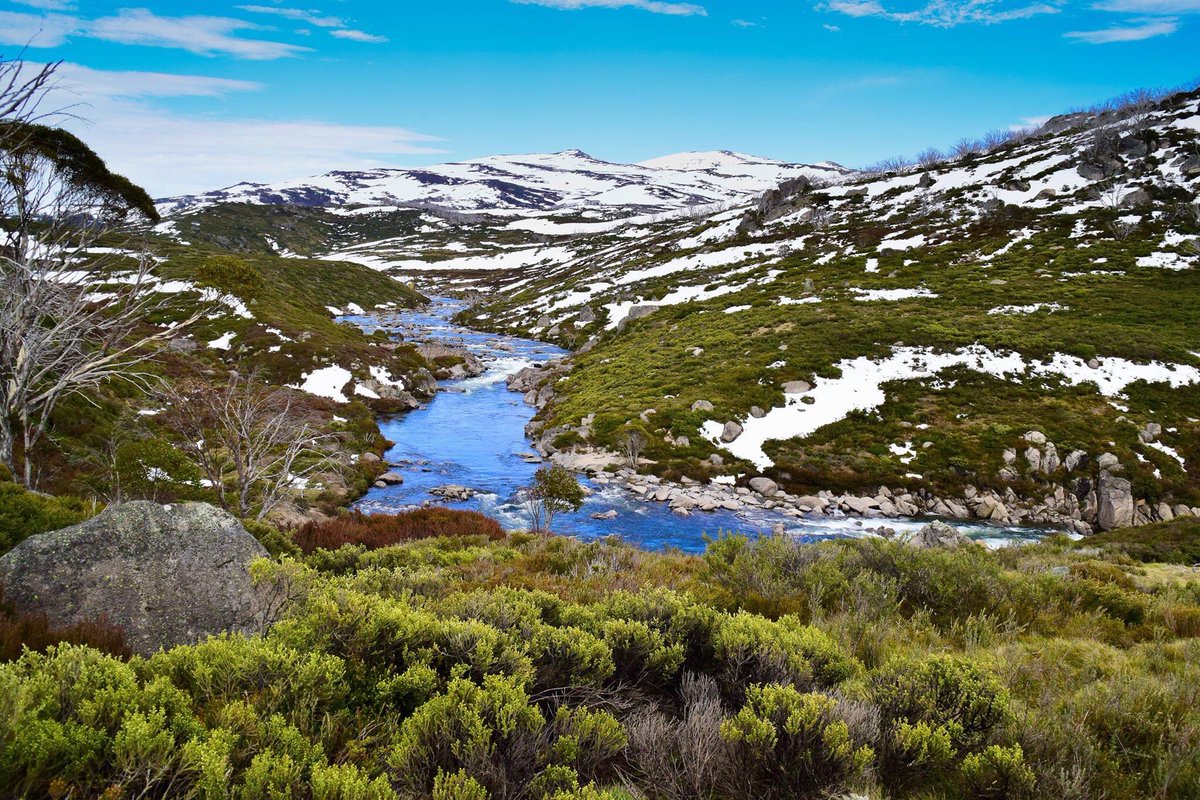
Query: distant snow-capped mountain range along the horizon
point(569, 182)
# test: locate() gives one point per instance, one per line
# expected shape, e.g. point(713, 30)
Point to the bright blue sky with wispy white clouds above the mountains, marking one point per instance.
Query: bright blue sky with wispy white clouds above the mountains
point(184, 97)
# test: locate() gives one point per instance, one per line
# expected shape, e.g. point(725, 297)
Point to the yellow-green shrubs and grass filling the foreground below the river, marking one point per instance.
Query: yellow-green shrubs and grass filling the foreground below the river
point(467, 667)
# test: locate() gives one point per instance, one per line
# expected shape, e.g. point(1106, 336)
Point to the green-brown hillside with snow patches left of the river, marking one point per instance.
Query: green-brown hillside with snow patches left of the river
point(274, 322)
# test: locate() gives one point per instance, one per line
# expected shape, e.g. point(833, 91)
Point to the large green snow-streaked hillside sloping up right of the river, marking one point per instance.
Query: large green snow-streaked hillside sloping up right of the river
point(1071, 256)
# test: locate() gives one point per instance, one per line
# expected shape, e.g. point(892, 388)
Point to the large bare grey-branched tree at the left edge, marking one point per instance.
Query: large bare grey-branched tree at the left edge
point(71, 317)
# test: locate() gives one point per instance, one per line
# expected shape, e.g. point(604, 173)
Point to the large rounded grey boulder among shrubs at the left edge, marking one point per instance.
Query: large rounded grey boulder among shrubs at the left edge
point(167, 575)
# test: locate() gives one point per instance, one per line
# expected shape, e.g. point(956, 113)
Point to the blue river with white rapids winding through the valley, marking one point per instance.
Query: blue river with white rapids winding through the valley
point(472, 435)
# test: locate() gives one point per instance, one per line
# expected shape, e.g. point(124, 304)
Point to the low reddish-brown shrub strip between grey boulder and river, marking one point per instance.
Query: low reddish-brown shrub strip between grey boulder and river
point(381, 531)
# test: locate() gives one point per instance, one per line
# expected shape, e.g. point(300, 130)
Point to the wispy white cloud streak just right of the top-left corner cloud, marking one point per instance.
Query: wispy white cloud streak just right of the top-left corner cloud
point(200, 35)
